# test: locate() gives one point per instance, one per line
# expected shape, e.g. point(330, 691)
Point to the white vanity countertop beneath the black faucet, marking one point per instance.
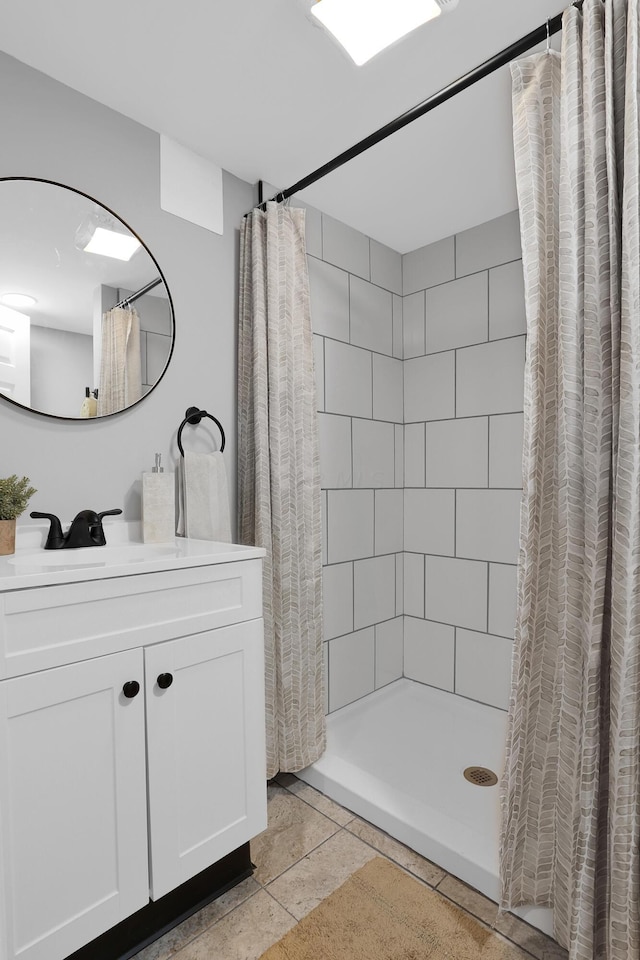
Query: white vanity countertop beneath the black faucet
point(124, 555)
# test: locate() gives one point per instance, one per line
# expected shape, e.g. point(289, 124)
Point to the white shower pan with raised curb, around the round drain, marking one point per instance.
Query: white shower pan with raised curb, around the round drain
point(396, 758)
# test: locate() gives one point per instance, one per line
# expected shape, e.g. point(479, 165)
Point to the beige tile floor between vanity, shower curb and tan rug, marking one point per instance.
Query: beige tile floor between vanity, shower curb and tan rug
point(311, 846)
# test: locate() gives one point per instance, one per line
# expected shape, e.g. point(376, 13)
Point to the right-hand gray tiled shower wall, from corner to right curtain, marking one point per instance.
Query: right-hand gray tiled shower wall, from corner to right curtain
point(464, 348)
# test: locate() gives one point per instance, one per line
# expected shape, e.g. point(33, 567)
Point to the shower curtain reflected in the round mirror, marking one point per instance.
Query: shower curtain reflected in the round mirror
point(120, 367)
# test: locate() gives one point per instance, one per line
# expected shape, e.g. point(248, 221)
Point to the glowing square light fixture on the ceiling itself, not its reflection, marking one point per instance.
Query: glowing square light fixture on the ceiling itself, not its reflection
point(365, 27)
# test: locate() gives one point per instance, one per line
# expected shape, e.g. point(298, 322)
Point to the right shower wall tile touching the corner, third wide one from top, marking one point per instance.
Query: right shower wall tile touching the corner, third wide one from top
point(429, 521)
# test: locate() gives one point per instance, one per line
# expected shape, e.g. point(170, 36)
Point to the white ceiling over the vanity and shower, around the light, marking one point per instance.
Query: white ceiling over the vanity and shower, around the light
point(258, 87)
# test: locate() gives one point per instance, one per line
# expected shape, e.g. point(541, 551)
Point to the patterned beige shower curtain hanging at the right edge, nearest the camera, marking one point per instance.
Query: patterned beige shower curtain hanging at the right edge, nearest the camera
point(571, 803)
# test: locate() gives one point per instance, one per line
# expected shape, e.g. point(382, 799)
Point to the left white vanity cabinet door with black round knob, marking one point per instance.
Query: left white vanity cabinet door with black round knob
point(73, 831)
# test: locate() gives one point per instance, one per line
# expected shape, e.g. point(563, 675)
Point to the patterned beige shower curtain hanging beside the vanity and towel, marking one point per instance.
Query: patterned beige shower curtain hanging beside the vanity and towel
point(279, 476)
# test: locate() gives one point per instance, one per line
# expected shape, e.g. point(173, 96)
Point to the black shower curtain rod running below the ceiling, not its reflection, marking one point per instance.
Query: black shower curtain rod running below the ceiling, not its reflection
point(548, 29)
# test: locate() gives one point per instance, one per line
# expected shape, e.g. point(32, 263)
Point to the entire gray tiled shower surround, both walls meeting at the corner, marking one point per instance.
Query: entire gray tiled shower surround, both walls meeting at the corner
point(419, 363)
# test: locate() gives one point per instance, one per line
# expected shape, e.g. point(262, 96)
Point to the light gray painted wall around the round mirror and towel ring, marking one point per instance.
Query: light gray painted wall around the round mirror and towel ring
point(53, 132)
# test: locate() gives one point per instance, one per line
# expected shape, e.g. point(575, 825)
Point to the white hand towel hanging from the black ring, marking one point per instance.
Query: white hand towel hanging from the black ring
point(204, 512)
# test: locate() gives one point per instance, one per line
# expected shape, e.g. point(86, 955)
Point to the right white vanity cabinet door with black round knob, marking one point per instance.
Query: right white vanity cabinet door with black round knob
point(205, 749)
